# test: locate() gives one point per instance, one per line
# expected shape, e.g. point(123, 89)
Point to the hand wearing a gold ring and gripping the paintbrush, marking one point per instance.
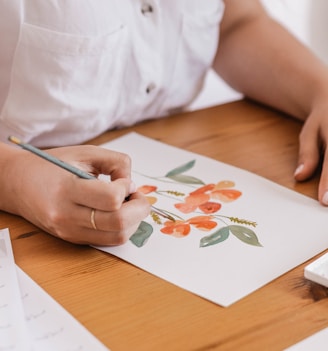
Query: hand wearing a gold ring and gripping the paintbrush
point(62, 204)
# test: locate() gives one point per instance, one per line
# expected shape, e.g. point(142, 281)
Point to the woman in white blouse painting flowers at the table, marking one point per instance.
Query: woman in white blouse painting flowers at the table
point(71, 70)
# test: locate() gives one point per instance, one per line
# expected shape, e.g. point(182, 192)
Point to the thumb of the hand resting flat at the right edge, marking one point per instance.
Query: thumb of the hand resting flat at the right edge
point(309, 153)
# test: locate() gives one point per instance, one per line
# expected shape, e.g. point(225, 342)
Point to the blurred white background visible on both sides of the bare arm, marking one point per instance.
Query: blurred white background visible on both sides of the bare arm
point(306, 19)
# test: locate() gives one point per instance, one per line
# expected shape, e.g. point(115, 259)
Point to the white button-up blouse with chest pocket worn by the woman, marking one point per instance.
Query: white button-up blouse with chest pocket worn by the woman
point(70, 70)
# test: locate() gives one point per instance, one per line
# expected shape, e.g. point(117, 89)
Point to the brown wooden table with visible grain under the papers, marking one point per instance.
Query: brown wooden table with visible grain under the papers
point(129, 309)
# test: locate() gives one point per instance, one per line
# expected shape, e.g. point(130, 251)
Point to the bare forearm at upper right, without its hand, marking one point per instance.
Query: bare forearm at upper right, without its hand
point(258, 58)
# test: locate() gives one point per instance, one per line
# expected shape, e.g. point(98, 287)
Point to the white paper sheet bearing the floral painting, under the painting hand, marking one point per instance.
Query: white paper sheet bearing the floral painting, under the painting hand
point(291, 228)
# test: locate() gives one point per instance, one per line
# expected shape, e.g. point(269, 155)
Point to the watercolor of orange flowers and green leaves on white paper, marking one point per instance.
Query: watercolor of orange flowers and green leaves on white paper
point(202, 205)
